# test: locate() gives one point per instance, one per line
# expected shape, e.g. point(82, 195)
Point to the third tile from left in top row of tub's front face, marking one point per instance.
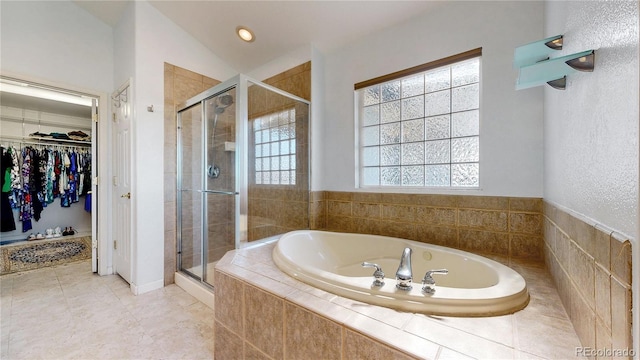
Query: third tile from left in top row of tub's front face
point(309, 336)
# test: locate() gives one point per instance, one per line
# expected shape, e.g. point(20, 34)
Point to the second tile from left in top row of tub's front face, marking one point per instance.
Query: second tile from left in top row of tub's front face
point(263, 321)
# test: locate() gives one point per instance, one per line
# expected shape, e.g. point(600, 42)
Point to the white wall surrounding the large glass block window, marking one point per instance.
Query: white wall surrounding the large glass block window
point(511, 122)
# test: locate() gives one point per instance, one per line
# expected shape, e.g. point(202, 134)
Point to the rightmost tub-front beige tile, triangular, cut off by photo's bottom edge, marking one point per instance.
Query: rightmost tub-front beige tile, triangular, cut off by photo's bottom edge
point(357, 346)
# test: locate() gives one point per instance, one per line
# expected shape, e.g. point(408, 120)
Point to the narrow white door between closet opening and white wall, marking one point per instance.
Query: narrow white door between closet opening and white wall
point(121, 193)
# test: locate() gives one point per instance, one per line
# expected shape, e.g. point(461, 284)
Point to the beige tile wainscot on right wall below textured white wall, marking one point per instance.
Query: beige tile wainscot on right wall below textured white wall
point(591, 267)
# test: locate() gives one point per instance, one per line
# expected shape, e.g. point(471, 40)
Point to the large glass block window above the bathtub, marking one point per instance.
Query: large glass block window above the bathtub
point(422, 129)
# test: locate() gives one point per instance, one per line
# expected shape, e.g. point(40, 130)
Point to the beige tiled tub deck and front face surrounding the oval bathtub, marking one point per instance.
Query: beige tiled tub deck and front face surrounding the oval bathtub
point(261, 313)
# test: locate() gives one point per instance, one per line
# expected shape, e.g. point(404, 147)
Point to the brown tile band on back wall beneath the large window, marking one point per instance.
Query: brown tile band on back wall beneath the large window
point(505, 226)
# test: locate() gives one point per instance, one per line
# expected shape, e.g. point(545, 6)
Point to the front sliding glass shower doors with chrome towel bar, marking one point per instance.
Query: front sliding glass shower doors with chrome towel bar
point(207, 184)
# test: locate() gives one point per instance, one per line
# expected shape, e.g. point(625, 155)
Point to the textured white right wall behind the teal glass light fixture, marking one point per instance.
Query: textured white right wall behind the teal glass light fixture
point(591, 128)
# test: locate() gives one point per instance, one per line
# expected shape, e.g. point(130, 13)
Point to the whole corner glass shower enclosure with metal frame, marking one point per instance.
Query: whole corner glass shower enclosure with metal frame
point(243, 170)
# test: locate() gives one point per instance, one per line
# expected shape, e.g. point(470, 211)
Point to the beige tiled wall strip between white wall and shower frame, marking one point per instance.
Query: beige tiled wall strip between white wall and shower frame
point(179, 85)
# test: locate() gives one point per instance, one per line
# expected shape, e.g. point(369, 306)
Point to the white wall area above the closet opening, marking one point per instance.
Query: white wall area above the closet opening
point(56, 41)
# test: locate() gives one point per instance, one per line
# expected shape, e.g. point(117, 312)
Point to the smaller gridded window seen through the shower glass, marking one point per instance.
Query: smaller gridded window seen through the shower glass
point(275, 148)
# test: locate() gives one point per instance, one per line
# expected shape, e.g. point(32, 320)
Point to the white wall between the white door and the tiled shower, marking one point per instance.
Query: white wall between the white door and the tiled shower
point(157, 40)
